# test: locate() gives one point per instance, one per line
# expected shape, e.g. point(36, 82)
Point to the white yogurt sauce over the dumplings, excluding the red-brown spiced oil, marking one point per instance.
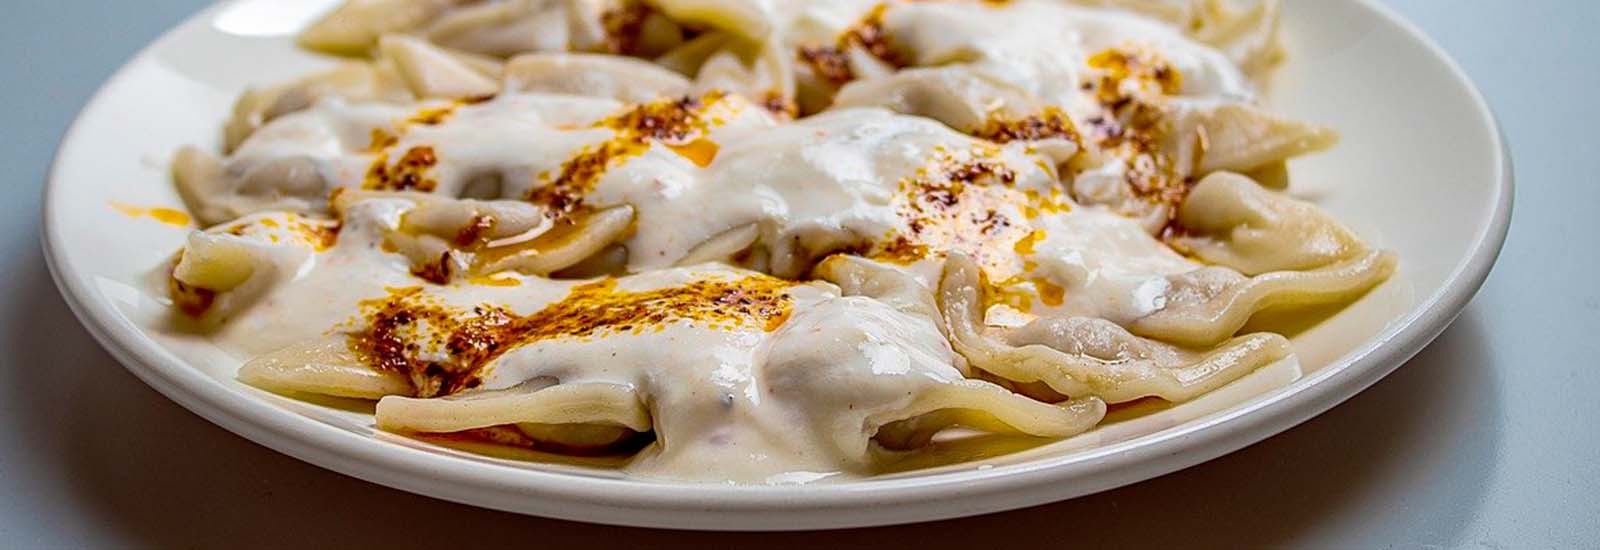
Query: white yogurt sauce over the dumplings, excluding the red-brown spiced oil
point(742, 405)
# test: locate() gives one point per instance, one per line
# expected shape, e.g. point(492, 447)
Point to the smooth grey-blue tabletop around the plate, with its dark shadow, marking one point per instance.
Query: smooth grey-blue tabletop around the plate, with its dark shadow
point(1489, 439)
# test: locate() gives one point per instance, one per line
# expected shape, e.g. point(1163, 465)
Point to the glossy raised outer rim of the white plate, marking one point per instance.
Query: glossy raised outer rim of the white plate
point(788, 508)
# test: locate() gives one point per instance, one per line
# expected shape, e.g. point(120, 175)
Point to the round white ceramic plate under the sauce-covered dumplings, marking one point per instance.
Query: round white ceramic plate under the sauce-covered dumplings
point(1423, 172)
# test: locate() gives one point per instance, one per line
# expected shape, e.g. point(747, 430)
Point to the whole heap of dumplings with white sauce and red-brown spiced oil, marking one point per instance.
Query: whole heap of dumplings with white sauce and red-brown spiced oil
point(759, 241)
